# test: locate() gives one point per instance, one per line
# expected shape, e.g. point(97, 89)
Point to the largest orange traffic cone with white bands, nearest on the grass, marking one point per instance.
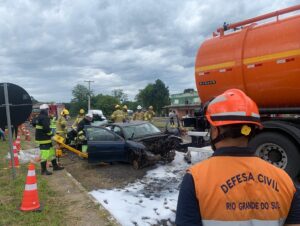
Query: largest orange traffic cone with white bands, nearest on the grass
point(30, 200)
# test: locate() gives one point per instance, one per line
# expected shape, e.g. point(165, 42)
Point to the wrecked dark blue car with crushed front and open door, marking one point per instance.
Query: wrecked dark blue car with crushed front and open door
point(139, 143)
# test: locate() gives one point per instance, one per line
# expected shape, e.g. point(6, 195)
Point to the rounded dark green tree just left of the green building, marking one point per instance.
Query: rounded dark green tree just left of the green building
point(156, 94)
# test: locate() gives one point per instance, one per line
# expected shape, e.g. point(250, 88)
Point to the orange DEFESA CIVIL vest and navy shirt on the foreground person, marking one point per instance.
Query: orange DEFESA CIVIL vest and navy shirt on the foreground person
point(236, 188)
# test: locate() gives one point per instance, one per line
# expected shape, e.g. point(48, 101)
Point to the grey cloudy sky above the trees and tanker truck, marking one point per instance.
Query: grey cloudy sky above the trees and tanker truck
point(49, 46)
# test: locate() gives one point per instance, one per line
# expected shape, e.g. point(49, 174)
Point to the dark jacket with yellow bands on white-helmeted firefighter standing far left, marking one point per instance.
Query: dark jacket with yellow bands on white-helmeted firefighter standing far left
point(43, 131)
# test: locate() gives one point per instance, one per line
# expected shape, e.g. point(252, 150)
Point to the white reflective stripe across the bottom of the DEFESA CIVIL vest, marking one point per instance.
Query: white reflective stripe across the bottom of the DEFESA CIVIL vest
point(279, 222)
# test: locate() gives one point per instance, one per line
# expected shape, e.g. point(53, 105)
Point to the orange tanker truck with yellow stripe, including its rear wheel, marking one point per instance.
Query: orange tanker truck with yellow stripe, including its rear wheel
point(260, 56)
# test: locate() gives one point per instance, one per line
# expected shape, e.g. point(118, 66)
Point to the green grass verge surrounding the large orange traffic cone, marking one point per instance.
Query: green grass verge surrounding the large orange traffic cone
point(11, 193)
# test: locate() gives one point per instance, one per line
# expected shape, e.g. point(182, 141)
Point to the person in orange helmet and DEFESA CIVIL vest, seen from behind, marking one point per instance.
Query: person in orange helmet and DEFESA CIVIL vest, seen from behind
point(234, 187)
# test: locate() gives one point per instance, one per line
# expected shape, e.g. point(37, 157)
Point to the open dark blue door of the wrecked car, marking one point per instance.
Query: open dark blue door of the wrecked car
point(104, 145)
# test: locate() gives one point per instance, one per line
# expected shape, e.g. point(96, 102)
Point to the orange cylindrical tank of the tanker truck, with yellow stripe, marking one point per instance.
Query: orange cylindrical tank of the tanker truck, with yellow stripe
point(263, 60)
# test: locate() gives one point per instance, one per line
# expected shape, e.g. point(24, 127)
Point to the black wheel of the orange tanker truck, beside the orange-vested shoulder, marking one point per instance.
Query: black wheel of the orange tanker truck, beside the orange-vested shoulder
point(278, 150)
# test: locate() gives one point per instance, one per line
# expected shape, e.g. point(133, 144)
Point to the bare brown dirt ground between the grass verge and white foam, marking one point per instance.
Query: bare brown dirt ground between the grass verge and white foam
point(80, 177)
